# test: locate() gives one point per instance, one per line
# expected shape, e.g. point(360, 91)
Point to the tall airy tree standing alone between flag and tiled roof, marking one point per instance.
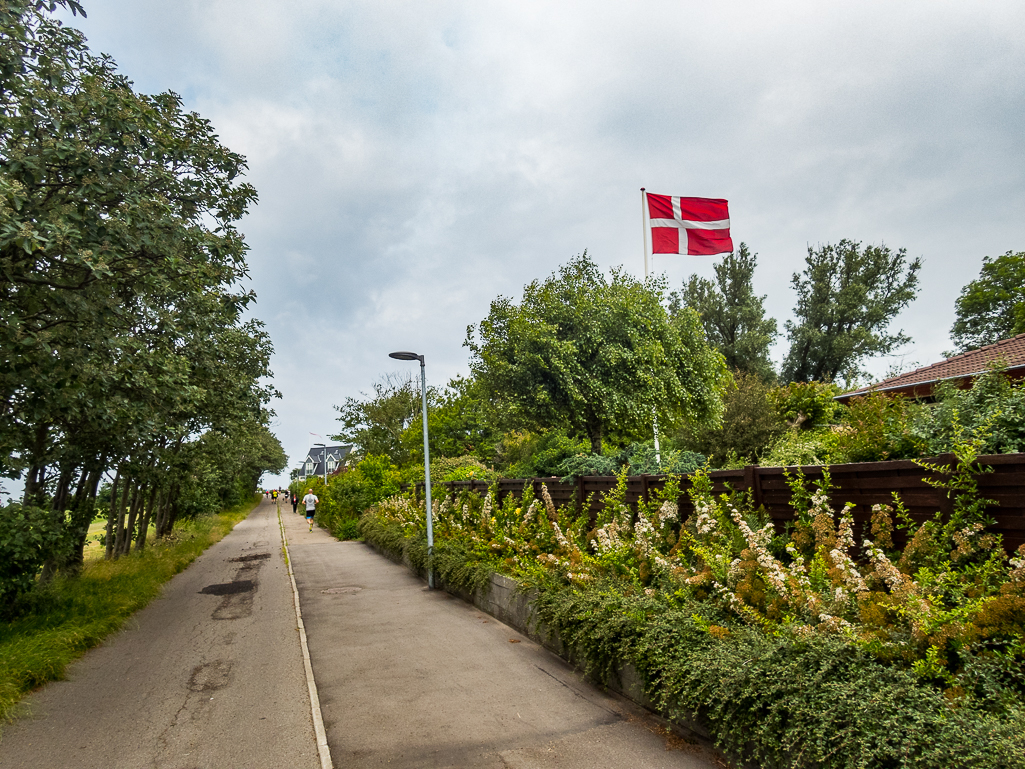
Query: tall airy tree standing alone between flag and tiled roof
point(847, 297)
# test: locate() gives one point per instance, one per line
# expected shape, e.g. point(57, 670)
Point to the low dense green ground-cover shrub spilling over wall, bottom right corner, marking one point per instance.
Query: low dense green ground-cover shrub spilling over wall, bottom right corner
point(775, 701)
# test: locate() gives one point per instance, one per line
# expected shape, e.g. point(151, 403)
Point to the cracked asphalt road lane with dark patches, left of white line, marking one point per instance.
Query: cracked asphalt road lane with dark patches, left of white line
point(213, 680)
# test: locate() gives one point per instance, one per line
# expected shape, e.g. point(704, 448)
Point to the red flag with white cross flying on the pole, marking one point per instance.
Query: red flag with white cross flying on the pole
point(706, 222)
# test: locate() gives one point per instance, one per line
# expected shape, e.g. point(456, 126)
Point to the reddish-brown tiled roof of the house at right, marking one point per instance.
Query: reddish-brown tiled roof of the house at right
point(961, 370)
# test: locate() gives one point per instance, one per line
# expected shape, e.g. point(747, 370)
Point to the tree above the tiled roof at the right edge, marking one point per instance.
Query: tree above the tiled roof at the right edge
point(992, 308)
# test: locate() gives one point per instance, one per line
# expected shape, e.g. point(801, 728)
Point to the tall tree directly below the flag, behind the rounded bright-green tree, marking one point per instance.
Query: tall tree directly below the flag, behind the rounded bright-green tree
point(733, 316)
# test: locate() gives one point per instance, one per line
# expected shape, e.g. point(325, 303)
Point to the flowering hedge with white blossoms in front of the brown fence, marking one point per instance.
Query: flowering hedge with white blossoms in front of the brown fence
point(797, 650)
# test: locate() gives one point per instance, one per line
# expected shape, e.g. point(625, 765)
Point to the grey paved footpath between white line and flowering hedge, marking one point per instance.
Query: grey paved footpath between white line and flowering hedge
point(417, 678)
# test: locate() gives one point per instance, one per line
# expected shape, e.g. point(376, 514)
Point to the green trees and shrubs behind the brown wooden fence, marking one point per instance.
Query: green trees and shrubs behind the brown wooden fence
point(586, 366)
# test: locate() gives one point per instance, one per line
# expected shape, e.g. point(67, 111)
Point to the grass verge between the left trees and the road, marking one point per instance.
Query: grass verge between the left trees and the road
point(72, 616)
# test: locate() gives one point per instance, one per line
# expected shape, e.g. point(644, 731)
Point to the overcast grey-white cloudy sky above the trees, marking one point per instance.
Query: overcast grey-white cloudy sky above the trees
point(416, 160)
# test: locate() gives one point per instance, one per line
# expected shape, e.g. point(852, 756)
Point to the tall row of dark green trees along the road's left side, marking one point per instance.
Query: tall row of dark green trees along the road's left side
point(125, 350)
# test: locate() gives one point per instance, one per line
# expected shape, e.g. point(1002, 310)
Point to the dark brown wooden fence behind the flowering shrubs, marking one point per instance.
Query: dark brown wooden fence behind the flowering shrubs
point(865, 484)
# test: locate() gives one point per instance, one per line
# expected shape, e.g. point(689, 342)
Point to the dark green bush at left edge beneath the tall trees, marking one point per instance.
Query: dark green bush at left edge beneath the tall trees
point(28, 538)
